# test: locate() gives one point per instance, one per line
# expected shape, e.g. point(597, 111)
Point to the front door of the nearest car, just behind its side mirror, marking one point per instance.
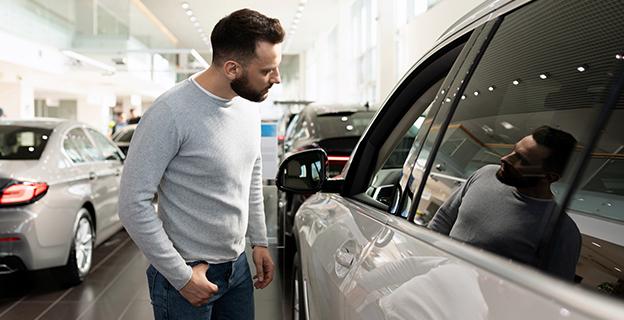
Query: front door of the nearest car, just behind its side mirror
point(334, 232)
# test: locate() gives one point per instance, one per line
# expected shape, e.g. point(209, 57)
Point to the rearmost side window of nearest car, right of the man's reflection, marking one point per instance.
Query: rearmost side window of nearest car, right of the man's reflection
point(596, 206)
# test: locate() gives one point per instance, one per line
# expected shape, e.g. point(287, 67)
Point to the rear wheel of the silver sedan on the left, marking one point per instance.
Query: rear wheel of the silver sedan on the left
point(81, 251)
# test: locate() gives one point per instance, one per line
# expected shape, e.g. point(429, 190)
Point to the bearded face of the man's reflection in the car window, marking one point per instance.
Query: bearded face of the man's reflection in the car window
point(523, 167)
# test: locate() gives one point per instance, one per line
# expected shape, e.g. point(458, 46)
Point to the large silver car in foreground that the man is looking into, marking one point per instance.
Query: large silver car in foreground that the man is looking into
point(508, 67)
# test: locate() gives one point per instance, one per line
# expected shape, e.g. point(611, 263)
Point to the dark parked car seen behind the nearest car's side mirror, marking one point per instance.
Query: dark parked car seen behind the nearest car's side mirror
point(334, 128)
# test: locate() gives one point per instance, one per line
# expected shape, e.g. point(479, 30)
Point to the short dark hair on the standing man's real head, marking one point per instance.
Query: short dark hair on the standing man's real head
point(236, 35)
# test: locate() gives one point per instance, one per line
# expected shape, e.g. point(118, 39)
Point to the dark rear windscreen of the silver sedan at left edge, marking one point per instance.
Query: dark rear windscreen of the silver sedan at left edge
point(22, 143)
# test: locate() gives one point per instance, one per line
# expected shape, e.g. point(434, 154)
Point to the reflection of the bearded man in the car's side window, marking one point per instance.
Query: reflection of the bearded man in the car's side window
point(509, 209)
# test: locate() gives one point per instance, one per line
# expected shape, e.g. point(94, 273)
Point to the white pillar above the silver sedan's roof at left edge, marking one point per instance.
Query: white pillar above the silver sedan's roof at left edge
point(17, 100)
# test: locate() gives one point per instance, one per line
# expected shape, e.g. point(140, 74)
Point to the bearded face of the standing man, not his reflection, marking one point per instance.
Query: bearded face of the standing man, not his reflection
point(260, 73)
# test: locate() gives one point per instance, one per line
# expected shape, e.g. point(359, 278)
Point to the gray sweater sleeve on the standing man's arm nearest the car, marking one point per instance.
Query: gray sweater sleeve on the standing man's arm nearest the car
point(256, 228)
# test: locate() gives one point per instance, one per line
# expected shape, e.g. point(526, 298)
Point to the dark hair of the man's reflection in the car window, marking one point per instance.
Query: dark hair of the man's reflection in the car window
point(560, 143)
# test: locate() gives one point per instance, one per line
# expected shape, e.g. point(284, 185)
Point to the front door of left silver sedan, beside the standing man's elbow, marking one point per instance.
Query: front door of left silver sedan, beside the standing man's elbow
point(108, 169)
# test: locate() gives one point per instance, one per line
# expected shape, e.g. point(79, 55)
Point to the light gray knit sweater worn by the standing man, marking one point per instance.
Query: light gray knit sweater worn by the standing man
point(202, 155)
